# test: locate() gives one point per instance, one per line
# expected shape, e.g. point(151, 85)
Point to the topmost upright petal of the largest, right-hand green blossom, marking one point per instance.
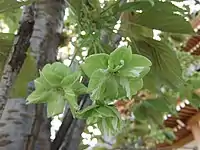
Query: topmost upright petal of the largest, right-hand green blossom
point(119, 57)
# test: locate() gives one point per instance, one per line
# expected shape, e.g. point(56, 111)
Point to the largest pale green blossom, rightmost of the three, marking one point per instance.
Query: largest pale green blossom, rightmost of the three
point(117, 75)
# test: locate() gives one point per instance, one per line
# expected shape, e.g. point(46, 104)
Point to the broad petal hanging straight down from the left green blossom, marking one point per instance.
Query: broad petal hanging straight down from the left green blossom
point(55, 105)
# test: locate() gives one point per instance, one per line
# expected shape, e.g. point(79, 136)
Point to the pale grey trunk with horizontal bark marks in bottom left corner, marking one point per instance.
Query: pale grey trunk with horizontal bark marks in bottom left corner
point(15, 124)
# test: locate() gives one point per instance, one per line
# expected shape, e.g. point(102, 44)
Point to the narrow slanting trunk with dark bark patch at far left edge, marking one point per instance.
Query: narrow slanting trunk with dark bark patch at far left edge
point(17, 56)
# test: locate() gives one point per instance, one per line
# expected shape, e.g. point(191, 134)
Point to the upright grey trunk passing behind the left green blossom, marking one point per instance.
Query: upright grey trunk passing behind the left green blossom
point(45, 39)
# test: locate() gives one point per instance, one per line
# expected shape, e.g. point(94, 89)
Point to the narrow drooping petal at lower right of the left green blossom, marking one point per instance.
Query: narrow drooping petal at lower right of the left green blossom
point(71, 100)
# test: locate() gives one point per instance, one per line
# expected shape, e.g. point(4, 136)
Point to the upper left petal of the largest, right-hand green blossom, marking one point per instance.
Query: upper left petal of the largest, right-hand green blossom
point(95, 62)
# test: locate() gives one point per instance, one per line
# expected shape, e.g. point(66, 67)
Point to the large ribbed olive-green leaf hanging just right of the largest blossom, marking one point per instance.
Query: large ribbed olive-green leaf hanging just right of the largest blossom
point(165, 68)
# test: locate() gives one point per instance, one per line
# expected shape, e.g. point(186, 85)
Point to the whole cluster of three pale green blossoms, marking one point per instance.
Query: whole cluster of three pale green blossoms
point(111, 77)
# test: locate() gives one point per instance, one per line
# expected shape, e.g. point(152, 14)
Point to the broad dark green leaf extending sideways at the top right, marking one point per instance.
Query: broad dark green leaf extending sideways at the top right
point(164, 20)
